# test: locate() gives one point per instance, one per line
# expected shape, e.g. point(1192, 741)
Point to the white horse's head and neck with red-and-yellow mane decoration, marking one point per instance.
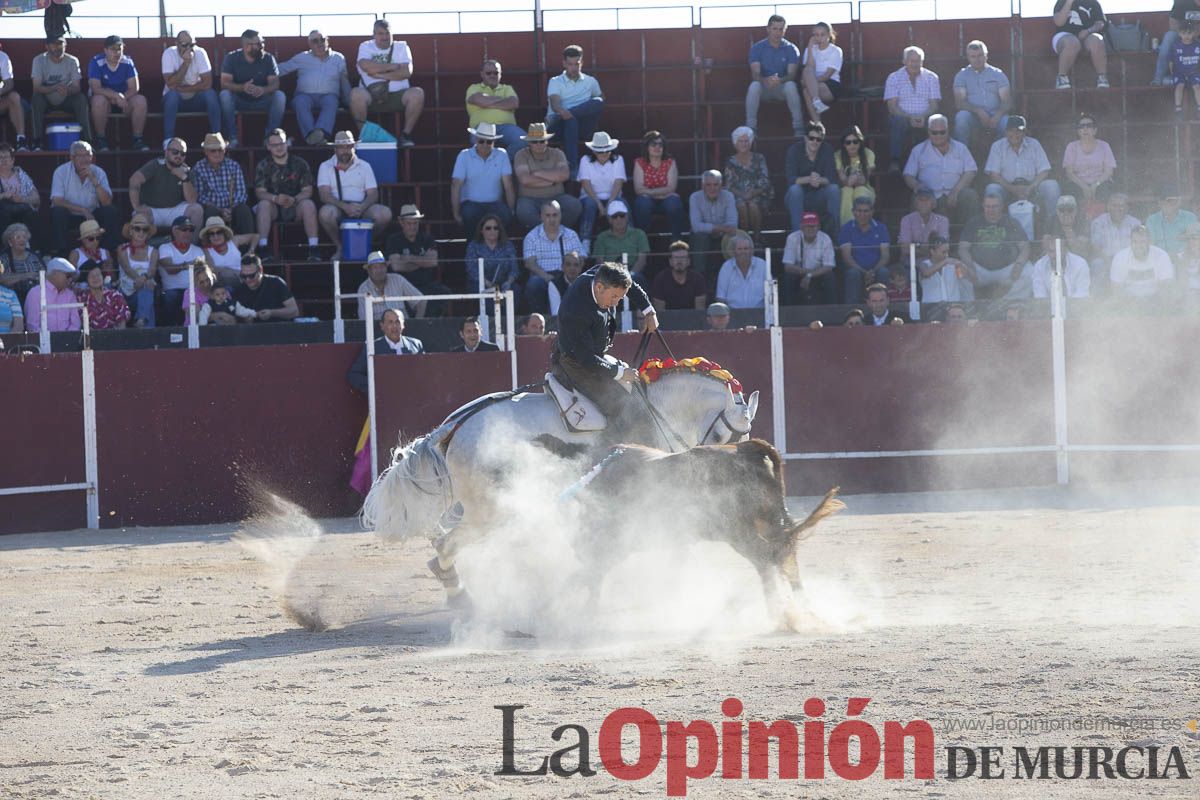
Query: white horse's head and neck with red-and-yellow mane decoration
point(703, 399)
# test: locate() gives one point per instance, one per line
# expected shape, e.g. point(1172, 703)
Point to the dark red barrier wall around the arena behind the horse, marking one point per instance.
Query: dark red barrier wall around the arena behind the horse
point(199, 436)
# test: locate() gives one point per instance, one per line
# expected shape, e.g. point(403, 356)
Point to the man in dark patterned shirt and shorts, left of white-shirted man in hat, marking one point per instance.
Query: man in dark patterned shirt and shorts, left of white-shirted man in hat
point(284, 185)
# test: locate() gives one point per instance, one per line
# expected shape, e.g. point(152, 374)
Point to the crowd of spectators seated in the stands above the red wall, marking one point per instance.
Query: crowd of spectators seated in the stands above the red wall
point(1009, 218)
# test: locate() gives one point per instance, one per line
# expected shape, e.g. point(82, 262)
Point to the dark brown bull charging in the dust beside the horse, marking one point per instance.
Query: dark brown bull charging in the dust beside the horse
point(730, 494)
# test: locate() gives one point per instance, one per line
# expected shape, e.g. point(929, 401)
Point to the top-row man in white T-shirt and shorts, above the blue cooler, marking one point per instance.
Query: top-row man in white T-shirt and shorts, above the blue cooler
point(386, 68)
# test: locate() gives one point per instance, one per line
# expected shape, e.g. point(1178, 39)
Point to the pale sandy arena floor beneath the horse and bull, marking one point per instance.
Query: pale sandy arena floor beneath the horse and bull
point(158, 663)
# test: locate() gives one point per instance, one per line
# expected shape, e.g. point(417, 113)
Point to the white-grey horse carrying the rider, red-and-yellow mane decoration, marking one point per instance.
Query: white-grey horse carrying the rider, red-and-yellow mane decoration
point(448, 485)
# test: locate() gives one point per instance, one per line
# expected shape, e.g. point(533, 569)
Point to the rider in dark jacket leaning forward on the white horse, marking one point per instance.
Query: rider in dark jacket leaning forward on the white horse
point(587, 322)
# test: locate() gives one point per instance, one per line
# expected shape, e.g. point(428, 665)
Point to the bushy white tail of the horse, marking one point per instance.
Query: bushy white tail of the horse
point(413, 495)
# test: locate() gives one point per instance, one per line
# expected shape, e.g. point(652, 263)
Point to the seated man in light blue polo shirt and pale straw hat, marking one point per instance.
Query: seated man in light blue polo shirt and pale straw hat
point(482, 182)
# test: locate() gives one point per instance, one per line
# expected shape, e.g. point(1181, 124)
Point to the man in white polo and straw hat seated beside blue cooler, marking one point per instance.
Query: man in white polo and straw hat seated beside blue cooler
point(349, 191)
